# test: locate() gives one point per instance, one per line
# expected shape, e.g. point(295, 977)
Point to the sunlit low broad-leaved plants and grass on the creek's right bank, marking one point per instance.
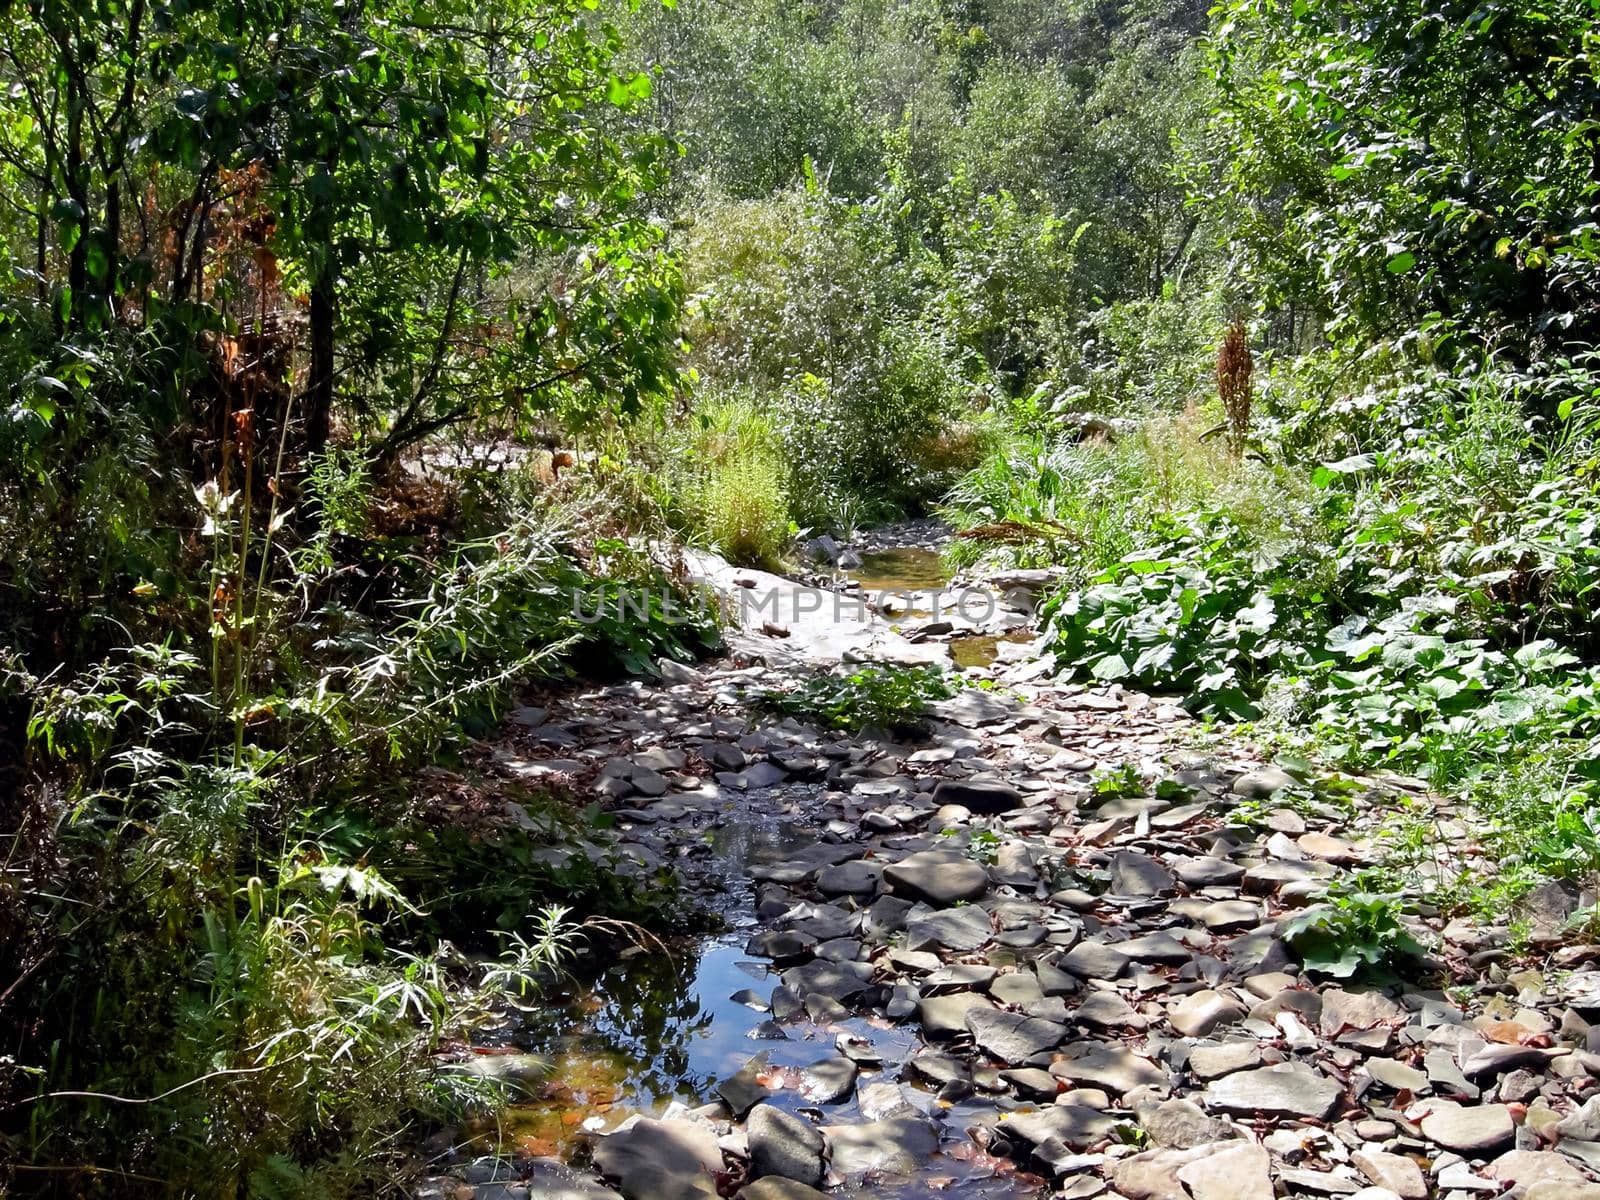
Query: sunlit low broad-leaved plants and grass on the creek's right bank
point(1391, 580)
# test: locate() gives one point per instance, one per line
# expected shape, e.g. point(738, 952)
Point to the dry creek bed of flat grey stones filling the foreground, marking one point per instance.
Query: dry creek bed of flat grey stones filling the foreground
point(1036, 953)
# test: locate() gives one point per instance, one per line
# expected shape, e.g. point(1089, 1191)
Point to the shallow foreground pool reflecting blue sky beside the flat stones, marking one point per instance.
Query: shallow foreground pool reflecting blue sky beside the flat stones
point(662, 1023)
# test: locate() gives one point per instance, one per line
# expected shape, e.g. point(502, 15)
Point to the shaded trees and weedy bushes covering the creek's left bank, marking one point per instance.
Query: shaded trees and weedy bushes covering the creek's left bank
point(265, 266)
